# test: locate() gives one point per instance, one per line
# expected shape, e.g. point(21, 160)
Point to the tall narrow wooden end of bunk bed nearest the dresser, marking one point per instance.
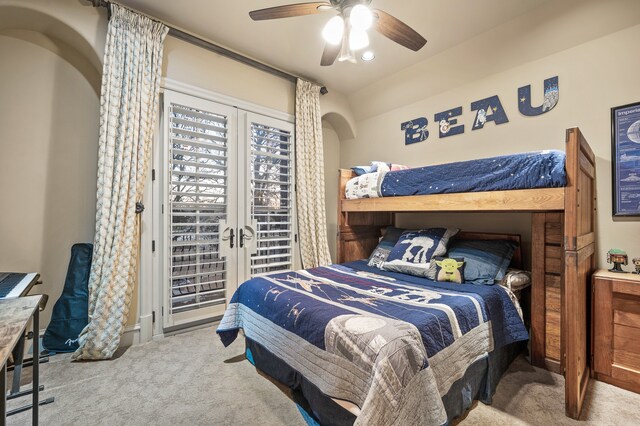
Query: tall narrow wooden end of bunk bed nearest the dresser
point(579, 264)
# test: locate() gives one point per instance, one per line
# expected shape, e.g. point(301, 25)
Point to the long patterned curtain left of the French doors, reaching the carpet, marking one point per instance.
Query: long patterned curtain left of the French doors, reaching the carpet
point(128, 110)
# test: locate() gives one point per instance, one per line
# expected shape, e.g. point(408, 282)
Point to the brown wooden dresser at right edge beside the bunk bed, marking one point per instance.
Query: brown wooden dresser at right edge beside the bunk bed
point(615, 344)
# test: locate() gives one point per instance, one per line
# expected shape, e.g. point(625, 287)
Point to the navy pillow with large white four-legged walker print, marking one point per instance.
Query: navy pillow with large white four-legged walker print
point(414, 250)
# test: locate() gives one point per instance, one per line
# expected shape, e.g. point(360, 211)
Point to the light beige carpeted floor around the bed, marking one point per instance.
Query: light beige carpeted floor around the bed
point(191, 379)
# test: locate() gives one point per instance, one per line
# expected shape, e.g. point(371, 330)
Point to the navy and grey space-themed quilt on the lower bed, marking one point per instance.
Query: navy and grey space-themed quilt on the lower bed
point(390, 343)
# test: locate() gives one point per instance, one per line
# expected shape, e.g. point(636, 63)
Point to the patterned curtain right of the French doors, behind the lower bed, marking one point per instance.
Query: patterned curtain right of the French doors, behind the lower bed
point(312, 221)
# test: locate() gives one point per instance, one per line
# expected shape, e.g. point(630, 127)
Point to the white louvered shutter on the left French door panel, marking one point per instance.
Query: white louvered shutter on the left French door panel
point(198, 203)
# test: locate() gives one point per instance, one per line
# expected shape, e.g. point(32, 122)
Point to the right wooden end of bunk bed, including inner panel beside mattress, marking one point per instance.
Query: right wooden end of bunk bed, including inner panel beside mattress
point(563, 259)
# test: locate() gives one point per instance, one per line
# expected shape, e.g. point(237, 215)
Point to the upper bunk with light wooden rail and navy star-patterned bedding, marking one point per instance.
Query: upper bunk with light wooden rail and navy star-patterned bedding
point(579, 167)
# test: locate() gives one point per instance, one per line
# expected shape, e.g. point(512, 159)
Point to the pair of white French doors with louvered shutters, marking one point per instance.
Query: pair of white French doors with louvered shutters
point(228, 204)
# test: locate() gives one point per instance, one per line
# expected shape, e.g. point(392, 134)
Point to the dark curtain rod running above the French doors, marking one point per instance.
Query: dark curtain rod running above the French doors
point(197, 41)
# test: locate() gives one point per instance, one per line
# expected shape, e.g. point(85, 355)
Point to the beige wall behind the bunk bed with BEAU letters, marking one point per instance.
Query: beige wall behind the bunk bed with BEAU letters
point(596, 73)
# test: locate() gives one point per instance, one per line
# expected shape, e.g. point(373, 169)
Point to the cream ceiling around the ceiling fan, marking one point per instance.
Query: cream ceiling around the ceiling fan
point(295, 44)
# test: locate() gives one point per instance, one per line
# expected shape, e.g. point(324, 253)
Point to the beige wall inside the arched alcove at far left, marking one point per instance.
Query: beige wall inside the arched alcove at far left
point(48, 160)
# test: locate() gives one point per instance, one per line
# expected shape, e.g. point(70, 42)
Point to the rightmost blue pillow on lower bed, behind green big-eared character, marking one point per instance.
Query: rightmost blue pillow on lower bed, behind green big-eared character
point(486, 261)
